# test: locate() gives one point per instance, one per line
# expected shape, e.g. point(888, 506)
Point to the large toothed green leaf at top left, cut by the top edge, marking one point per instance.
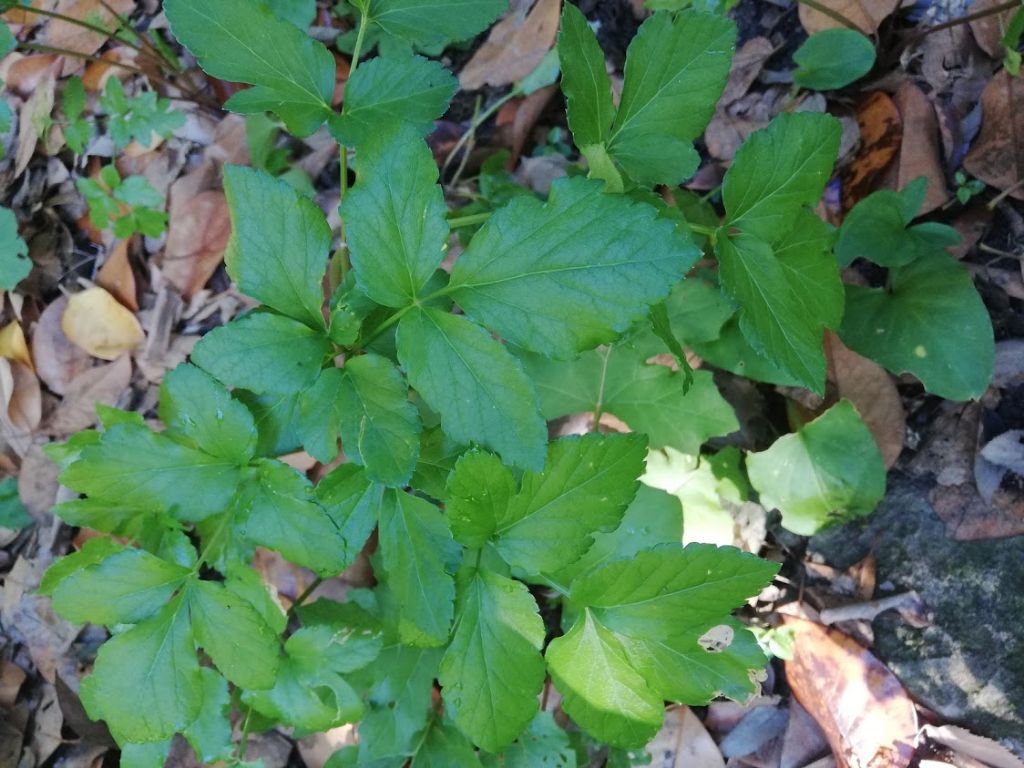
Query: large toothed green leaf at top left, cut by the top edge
point(239, 40)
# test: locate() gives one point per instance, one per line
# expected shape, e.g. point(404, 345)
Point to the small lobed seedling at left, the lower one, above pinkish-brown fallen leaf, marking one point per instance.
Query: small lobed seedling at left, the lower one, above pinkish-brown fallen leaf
point(130, 205)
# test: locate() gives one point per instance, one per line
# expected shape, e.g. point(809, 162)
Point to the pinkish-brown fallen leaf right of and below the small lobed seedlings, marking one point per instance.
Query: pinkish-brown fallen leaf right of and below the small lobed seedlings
point(197, 237)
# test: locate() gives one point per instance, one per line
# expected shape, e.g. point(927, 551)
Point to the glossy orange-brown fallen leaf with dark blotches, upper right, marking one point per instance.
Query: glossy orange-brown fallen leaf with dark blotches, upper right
point(881, 134)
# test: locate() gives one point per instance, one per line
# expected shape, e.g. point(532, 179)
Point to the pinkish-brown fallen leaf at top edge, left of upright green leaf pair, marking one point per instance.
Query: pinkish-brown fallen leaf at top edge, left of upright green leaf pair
point(515, 48)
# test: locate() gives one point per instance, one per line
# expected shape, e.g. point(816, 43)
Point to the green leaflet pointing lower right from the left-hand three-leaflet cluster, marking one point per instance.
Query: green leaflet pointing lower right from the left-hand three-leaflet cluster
point(281, 514)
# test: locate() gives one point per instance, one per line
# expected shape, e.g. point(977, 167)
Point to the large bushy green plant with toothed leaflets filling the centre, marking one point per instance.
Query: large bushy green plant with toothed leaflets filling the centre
point(502, 560)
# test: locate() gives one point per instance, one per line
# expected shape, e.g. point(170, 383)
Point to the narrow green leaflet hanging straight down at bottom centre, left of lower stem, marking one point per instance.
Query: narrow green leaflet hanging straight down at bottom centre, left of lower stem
point(419, 558)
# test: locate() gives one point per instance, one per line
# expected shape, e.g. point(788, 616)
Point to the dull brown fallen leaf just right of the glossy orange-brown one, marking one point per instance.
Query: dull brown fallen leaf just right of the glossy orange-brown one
point(920, 154)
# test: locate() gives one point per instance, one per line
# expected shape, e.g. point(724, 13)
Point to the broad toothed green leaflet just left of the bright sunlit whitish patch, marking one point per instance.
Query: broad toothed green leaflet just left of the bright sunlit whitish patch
point(584, 488)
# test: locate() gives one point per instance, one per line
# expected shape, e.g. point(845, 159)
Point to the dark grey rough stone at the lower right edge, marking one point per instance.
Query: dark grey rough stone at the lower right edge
point(969, 666)
